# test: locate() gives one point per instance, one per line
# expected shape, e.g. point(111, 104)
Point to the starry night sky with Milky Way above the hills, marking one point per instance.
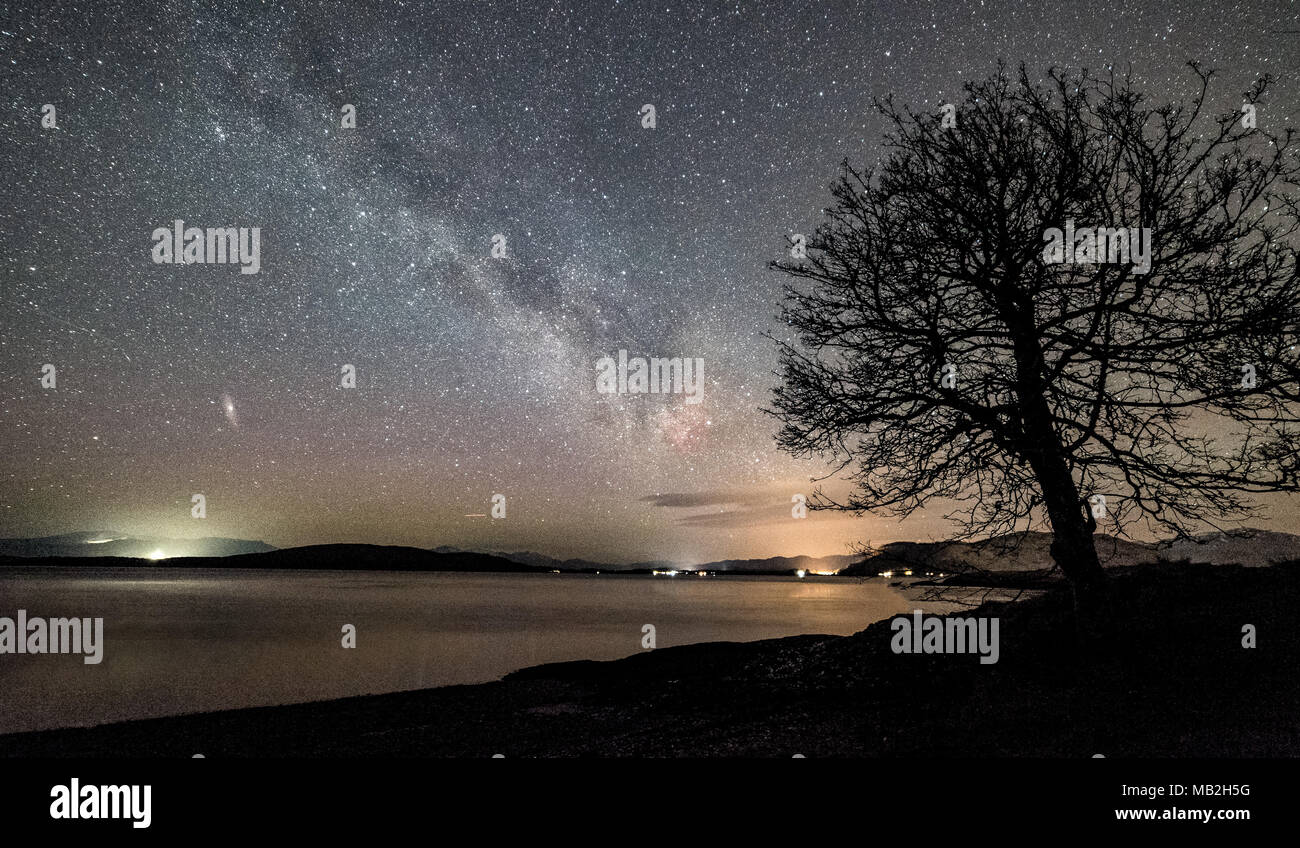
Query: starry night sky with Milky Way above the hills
point(475, 375)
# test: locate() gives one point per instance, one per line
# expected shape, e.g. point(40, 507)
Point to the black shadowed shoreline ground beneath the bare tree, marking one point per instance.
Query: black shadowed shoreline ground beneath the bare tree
point(1172, 681)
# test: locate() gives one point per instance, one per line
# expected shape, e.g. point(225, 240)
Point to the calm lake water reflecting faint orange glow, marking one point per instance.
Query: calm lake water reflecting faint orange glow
point(187, 642)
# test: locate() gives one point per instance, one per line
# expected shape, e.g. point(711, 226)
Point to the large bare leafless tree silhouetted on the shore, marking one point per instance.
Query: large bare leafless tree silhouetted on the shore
point(939, 351)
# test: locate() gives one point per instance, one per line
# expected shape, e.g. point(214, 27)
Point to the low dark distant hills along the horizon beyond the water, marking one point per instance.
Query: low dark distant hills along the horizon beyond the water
point(1013, 553)
